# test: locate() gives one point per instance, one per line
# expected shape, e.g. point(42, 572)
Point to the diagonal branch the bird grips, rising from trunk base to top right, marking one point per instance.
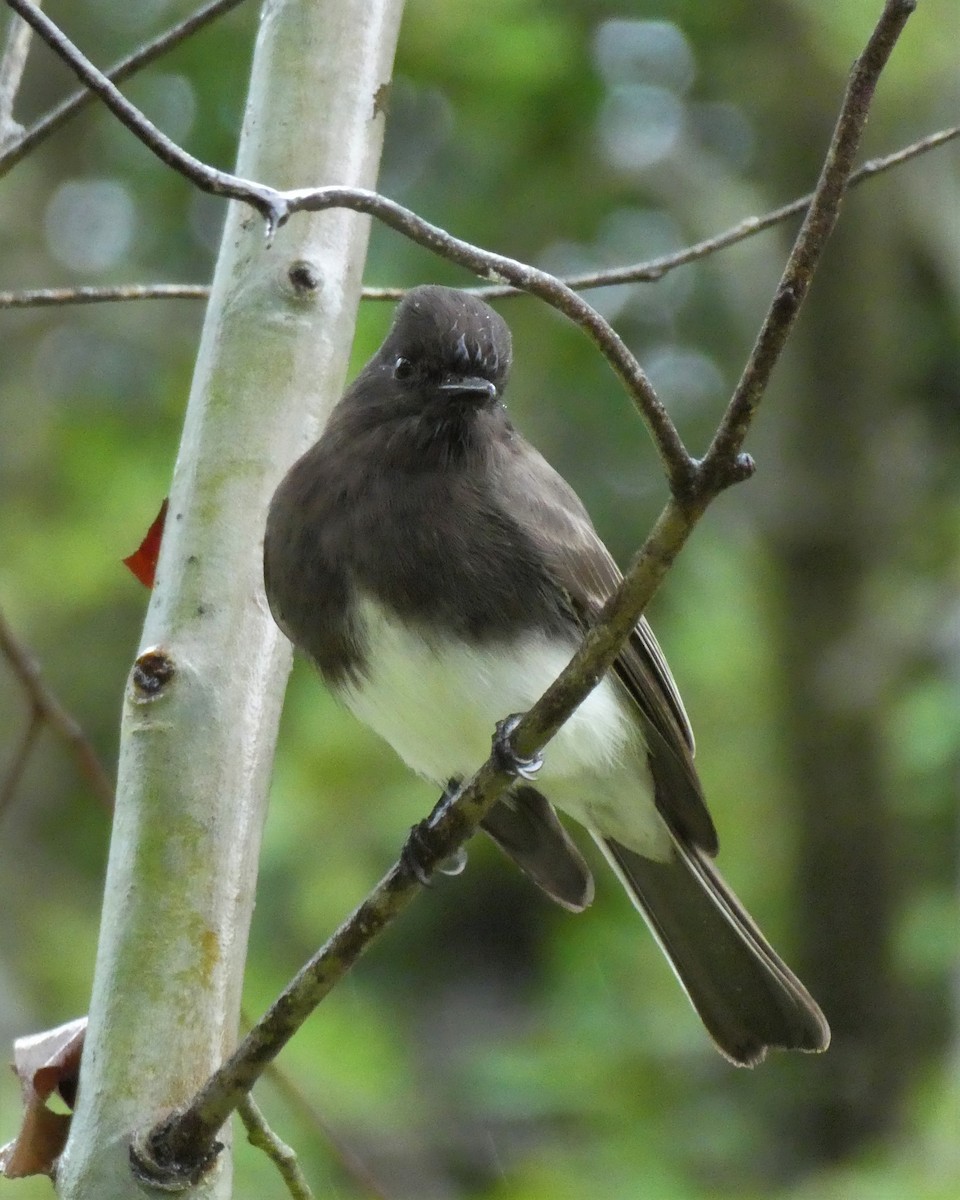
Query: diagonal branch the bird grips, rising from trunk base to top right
point(182, 1147)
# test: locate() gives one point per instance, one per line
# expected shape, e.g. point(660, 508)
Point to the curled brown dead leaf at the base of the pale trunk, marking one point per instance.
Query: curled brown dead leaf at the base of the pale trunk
point(44, 1063)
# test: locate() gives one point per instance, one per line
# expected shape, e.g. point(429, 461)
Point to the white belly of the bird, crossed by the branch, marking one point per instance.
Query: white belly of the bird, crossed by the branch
point(437, 704)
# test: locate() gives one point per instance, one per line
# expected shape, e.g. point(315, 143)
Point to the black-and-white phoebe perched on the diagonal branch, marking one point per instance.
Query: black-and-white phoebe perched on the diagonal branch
point(440, 573)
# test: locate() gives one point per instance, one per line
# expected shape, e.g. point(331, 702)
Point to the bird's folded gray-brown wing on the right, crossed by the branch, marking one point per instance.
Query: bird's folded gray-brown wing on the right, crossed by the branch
point(554, 518)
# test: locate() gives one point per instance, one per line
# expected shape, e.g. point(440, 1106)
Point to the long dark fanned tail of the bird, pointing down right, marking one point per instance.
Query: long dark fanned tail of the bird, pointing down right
point(746, 995)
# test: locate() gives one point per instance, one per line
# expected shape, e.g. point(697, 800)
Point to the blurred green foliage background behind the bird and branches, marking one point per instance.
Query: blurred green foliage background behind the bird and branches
point(493, 1046)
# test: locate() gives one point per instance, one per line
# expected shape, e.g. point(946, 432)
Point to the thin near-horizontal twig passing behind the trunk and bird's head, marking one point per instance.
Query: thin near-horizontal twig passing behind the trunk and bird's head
point(647, 272)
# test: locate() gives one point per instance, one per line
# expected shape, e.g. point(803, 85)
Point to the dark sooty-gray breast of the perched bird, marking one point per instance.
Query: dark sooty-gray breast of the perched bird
point(433, 545)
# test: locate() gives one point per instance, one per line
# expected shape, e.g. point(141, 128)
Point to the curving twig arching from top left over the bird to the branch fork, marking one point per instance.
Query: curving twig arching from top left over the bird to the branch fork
point(278, 207)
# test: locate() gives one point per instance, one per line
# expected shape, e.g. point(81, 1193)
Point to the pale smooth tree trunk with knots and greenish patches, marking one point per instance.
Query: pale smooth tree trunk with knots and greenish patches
point(196, 752)
